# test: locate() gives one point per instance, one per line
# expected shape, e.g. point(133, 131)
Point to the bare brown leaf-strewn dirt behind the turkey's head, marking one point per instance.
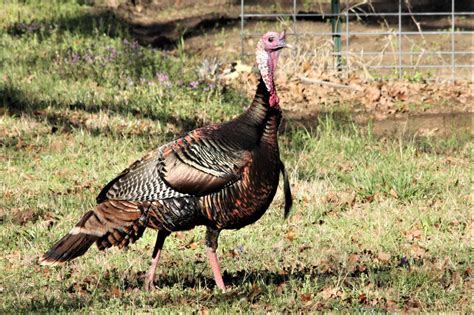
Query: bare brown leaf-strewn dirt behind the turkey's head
point(424, 101)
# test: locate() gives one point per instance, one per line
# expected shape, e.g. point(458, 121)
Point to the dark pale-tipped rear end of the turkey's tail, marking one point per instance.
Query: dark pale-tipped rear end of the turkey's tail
point(72, 245)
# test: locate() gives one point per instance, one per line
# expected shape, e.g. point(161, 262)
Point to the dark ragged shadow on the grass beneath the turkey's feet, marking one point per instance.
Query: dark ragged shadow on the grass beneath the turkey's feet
point(253, 292)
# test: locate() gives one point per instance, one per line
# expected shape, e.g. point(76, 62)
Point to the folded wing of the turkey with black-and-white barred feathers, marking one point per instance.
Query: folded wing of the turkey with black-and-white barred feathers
point(192, 165)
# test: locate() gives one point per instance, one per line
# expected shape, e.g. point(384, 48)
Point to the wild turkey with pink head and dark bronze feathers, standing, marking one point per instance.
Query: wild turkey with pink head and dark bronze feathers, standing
point(223, 176)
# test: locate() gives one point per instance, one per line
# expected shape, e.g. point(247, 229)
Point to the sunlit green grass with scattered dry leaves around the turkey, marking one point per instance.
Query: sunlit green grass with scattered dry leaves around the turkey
point(378, 224)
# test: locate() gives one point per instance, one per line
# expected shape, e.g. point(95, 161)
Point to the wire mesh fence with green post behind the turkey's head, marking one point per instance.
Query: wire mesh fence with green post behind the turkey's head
point(434, 45)
